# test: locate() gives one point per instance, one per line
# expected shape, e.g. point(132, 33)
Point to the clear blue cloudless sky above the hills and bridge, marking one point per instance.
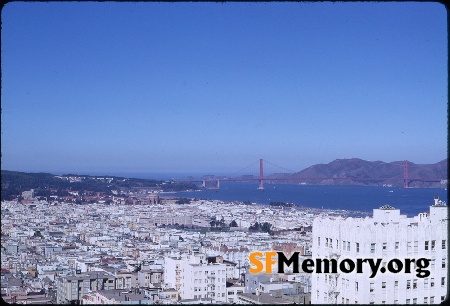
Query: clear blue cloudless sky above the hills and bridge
point(212, 87)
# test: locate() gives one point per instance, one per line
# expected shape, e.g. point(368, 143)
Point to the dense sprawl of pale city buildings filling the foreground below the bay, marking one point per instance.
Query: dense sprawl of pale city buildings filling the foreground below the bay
point(144, 246)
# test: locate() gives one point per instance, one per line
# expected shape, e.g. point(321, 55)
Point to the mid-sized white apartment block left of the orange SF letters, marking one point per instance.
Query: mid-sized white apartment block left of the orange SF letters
point(195, 279)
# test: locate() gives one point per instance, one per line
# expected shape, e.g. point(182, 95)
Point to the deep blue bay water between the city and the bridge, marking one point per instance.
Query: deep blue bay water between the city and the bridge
point(410, 201)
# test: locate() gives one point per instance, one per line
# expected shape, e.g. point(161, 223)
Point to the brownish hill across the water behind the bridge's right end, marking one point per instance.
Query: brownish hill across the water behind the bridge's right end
point(355, 171)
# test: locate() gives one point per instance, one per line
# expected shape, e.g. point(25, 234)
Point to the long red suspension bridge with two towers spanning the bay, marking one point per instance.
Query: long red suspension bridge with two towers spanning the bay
point(214, 183)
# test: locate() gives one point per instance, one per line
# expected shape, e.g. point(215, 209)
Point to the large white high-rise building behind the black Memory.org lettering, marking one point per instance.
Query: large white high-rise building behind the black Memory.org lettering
point(387, 235)
